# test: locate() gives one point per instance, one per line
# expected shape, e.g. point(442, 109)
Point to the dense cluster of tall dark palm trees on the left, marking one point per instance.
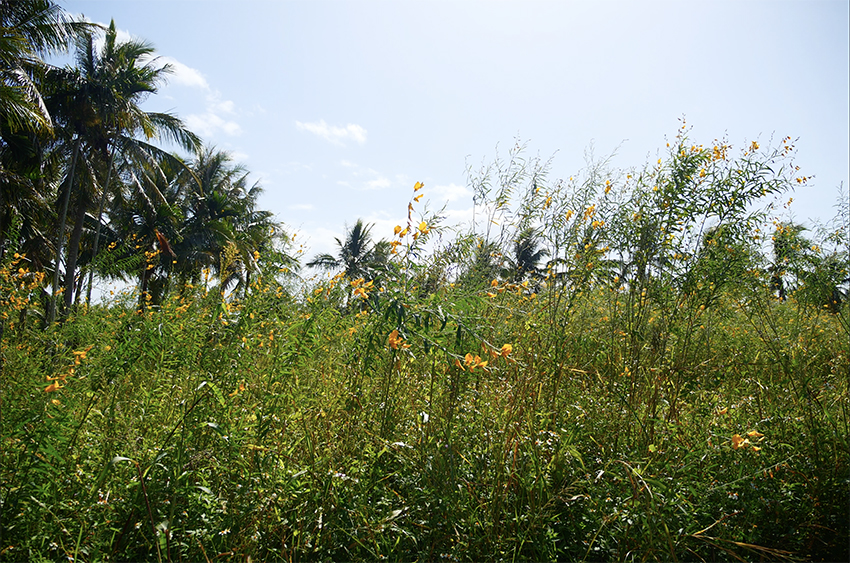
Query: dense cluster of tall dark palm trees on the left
point(86, 187)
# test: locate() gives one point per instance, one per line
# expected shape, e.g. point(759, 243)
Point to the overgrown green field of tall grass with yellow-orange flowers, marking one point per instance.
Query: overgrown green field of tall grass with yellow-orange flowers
point(683, 415)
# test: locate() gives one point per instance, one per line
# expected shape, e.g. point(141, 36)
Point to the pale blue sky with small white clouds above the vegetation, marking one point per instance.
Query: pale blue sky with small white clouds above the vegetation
point(338, 108)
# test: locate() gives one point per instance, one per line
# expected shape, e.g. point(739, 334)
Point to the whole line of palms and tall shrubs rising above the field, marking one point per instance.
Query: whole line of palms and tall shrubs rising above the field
point(86, 190)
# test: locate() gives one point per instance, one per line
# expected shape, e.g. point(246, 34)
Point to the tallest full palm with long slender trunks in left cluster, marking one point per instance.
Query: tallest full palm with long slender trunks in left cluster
point(98, 106)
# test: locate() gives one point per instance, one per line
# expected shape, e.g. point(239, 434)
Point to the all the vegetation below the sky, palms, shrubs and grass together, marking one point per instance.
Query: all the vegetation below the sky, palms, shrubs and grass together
point(644, 364)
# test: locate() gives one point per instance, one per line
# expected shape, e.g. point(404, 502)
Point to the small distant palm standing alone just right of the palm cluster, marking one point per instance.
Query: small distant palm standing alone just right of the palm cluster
point(358, 256)
